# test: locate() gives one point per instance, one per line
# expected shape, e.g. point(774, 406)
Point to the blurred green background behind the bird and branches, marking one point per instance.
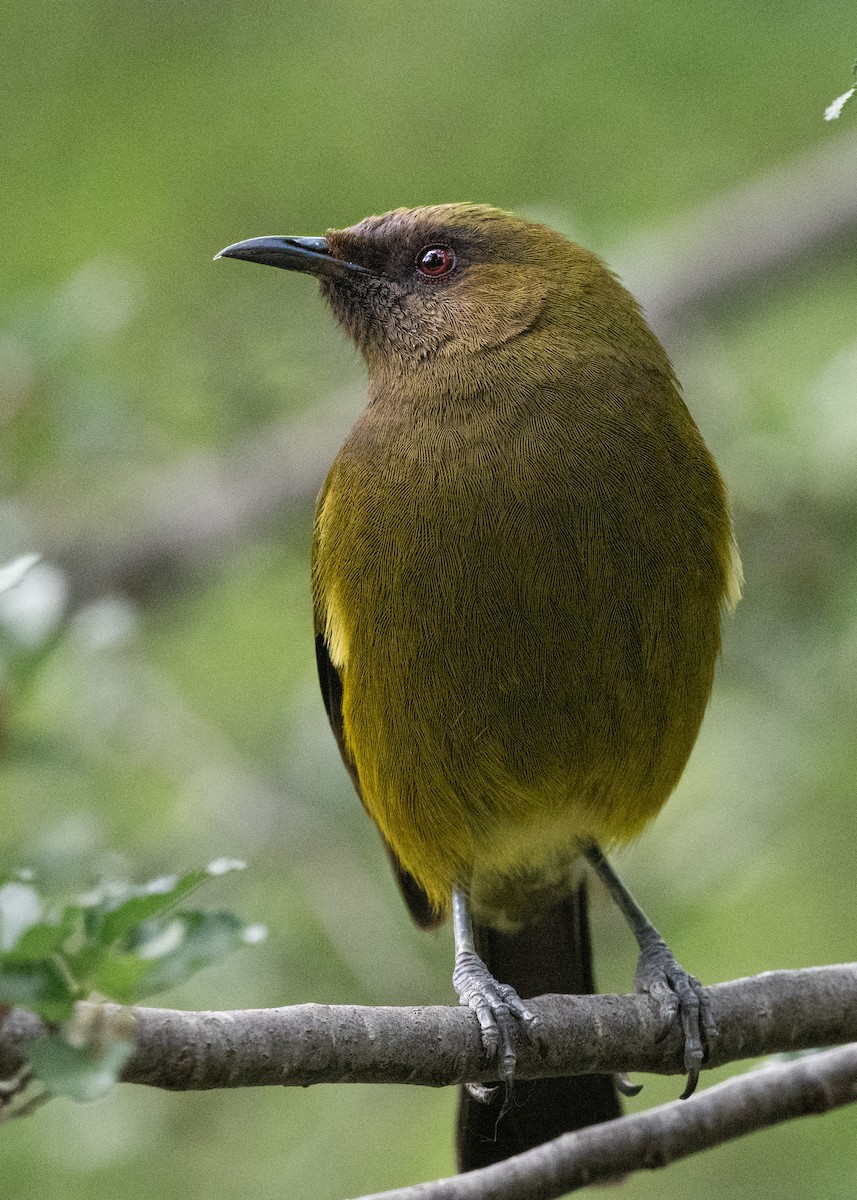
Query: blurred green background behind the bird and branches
point(154, 718)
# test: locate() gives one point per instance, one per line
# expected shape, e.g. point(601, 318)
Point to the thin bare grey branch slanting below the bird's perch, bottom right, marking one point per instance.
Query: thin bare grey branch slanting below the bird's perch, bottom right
point(648, 1141)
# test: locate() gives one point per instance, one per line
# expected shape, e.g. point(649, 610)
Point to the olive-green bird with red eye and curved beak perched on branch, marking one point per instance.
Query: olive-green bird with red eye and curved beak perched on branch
point(523, 557)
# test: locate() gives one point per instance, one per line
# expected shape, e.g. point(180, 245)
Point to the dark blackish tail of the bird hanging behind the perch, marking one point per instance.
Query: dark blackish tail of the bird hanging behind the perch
point(552, 956)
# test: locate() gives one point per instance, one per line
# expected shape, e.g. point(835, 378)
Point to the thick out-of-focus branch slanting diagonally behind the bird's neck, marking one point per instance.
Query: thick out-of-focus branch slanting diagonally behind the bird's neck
point(193, 514)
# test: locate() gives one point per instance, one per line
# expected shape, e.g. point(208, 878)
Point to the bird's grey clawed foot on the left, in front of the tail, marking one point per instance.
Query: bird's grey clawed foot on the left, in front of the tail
point(499, 1009)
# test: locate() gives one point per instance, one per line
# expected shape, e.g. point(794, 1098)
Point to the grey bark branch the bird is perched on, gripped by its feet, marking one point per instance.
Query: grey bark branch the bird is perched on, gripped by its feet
point(776, 1012)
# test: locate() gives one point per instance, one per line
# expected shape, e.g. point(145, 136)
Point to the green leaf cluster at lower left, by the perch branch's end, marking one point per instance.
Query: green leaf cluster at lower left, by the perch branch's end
point(118, 941)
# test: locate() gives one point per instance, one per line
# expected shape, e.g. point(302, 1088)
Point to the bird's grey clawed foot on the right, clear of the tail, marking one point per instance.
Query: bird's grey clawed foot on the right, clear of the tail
point(681, 998)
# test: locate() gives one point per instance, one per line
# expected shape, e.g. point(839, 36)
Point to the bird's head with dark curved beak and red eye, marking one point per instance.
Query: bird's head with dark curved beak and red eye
point(446, 284)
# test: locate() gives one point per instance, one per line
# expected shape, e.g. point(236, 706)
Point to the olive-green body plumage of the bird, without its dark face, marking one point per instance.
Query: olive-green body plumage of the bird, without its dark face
point(519, 573)
